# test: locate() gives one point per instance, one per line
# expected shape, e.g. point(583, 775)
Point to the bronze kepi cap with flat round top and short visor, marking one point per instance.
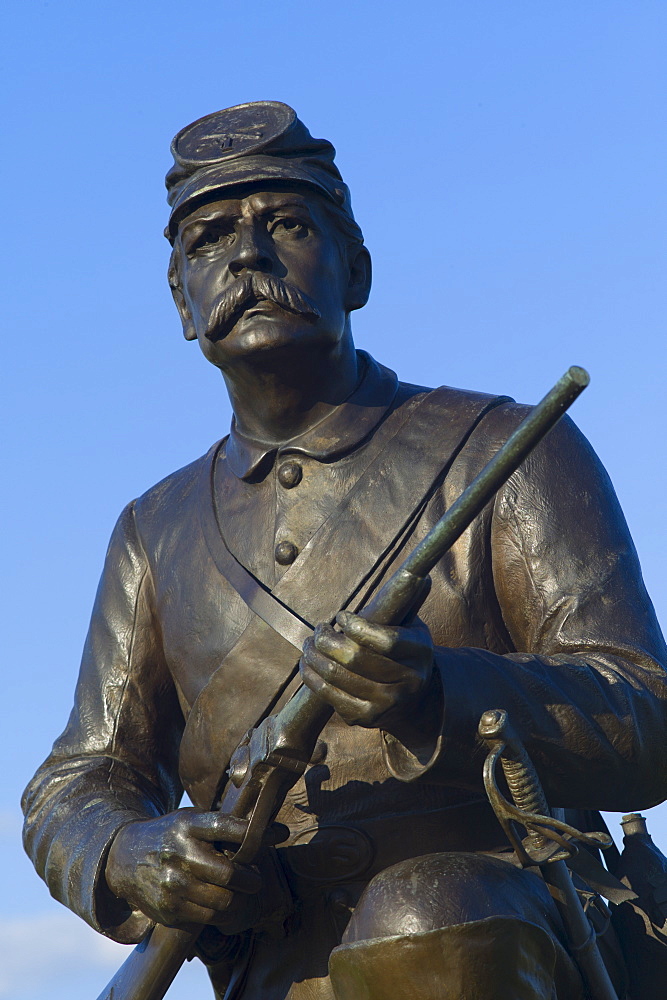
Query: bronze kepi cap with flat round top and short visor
point(247, 144)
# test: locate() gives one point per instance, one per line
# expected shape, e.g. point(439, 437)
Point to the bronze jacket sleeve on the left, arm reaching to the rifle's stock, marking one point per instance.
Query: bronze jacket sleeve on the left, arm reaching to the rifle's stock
point(117, 759)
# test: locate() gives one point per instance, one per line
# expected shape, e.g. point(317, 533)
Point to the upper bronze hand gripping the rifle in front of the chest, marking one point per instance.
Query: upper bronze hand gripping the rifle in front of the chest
point(373, 675)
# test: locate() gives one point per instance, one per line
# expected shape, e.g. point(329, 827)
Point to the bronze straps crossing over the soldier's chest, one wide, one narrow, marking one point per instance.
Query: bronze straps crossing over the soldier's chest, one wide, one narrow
point(261, 667)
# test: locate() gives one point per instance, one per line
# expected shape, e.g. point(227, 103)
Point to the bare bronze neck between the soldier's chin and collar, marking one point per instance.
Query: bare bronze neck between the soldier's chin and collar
point(284, 394)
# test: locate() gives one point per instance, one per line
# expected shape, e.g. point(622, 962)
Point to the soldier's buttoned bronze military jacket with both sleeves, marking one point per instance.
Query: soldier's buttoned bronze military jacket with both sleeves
point(539, 608)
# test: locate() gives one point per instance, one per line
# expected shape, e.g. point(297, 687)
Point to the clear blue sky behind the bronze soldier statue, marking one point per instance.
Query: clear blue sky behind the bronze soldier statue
point(507, 164)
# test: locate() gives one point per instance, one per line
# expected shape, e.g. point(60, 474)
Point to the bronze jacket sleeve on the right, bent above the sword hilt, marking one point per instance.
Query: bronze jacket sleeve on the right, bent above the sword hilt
point(584, 681)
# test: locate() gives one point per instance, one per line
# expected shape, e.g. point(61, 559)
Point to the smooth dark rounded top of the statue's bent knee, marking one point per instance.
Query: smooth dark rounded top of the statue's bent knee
point(439, 890)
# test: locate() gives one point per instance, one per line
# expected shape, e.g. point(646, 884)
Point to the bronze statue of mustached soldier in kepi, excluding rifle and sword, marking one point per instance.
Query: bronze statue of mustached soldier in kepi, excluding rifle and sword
point(387, 874)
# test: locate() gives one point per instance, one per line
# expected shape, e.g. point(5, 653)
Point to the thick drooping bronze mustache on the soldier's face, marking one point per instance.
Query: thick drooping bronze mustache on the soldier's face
point(248, 291)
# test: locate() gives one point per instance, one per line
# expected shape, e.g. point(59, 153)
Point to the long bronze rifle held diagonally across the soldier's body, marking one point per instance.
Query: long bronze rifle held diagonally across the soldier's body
point(272, 758)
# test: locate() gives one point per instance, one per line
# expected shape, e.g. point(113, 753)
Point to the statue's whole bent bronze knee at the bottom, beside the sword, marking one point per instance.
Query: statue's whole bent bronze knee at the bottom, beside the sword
point(455, 927)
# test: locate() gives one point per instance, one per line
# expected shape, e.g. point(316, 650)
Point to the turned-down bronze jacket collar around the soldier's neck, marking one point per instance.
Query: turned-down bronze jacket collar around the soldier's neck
point(337, 433)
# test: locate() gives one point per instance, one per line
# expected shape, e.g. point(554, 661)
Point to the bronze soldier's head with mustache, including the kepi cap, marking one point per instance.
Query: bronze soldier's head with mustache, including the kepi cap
point(266, 251)
